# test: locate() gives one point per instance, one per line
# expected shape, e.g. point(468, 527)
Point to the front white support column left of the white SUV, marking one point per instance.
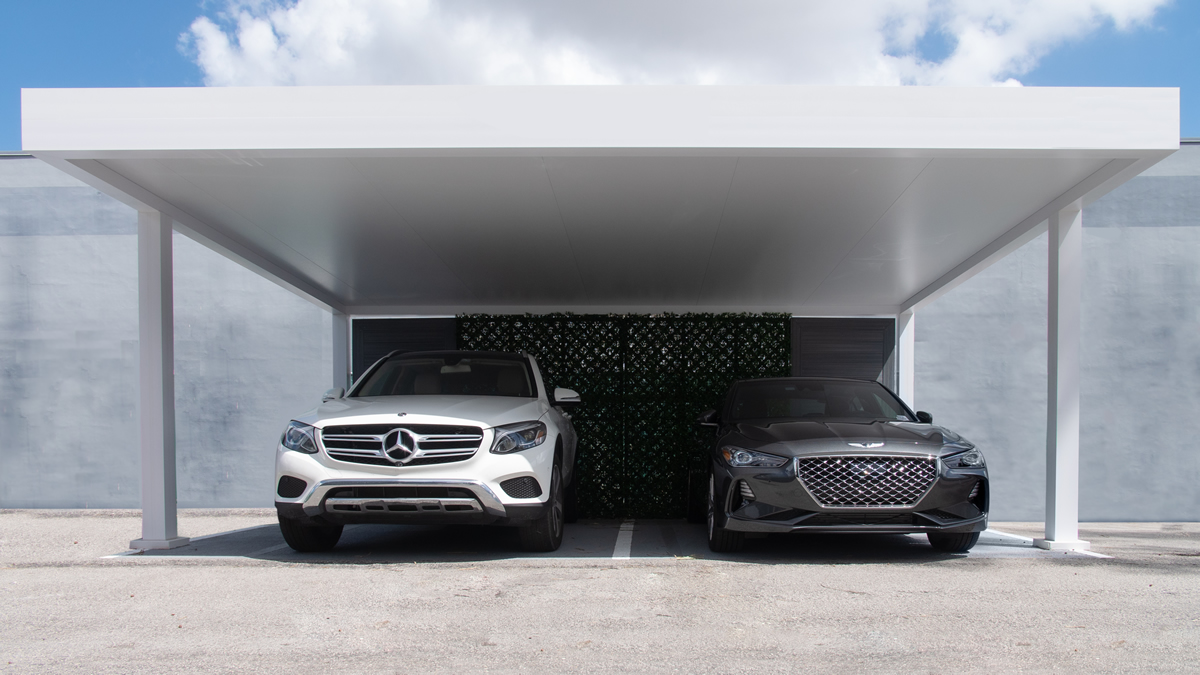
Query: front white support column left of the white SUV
point(157, 385)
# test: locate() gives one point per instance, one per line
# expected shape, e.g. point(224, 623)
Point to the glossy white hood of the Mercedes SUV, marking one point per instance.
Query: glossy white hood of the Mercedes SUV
point(483, 411)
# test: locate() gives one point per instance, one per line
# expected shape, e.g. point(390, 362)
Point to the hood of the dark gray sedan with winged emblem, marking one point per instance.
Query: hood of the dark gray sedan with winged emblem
point(799, 438)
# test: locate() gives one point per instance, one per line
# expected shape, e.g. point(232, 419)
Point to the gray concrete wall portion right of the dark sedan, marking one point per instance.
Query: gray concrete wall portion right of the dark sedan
point(982, 357)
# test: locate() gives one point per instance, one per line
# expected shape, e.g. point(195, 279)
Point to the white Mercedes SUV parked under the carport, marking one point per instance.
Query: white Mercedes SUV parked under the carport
point(433, 438)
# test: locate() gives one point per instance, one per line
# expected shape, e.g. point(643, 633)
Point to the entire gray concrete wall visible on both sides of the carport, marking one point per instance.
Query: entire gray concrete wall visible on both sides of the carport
point(250, 355)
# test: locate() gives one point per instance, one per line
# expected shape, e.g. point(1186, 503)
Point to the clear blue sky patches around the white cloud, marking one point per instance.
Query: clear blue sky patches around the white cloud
point(137, 44)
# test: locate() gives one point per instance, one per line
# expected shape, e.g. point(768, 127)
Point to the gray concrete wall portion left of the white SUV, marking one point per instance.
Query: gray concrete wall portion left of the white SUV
point(249, 356)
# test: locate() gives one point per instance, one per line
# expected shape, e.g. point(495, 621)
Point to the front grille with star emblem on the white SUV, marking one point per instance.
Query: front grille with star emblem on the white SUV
point(417, 445)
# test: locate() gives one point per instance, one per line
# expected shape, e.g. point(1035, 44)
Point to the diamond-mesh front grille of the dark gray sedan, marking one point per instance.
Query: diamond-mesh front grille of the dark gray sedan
point(860, 481)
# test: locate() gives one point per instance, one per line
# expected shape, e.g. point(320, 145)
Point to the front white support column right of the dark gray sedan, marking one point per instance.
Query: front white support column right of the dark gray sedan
point(1066, 294)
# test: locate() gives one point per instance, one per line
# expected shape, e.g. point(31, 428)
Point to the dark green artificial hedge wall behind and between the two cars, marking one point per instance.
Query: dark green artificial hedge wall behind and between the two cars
point(644, 380)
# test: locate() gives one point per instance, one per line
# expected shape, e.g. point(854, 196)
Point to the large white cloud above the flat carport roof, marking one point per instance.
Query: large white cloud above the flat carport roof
point(643, 41)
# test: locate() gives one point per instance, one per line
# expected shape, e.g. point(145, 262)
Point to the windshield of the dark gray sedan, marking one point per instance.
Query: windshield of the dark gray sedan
point(807, 399)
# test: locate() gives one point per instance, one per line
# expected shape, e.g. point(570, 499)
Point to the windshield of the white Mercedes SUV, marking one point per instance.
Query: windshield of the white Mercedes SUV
point(453, 375)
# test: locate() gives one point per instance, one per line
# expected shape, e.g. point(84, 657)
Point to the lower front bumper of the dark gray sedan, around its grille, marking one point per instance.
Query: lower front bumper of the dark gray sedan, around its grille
point(956, 503)
